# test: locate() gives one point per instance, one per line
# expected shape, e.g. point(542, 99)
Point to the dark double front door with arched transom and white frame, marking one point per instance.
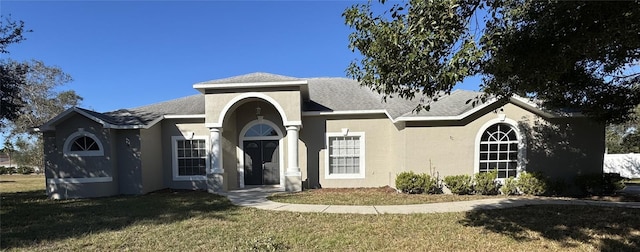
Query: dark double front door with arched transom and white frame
point(261, 159)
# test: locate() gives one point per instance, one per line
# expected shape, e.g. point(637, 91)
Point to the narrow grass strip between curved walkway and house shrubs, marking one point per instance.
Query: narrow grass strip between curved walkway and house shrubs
point(368, 197)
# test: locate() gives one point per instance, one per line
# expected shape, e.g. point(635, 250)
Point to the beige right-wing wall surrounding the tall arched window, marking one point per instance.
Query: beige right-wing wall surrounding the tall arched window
point(556, 147)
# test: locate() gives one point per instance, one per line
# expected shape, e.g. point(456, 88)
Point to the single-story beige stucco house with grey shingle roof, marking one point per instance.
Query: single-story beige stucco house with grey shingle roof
point(267, 129)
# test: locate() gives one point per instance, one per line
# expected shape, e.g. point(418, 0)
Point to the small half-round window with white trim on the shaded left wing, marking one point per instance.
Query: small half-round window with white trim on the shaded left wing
point(82, 143)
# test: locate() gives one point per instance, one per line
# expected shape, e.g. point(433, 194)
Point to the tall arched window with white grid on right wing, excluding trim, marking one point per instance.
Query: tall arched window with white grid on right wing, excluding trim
point(499, 150)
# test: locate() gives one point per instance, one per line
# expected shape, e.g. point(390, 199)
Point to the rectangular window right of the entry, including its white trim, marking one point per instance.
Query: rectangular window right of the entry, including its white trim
point(345, 155)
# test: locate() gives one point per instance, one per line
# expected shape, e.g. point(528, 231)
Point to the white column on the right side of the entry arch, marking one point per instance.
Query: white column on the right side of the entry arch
point(293, 177)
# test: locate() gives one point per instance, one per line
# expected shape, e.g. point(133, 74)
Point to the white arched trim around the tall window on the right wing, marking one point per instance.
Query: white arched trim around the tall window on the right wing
point(521, 145)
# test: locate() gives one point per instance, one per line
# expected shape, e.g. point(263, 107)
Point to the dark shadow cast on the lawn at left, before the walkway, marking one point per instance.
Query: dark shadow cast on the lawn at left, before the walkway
point(30, 217)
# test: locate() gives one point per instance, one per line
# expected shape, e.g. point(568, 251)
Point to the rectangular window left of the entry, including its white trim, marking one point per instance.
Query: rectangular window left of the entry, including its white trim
point(190, 158)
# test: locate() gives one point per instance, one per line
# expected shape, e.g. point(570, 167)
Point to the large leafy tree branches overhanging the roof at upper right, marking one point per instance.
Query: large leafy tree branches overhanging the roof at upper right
point(570, 56)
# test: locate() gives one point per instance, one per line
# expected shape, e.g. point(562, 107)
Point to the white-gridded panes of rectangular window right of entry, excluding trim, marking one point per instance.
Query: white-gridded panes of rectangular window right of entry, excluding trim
point(344, 155)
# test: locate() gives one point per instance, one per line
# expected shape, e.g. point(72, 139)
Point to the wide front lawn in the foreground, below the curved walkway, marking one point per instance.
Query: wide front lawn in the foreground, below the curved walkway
point(198, 221)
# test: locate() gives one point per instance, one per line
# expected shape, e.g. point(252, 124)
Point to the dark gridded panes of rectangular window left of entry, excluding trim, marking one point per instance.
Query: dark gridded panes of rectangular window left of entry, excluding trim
point(192, 157)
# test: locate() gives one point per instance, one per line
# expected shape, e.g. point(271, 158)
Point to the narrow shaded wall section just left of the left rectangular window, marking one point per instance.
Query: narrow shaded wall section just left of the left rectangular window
point(152, 163)
